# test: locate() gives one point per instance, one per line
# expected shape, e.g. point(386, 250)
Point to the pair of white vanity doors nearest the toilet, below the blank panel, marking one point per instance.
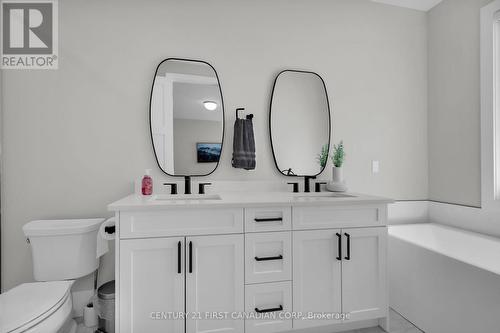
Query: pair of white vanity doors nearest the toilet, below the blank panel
point(163, 277)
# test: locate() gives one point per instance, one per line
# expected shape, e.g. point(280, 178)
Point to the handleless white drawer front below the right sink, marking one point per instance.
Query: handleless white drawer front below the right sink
point(328, 217)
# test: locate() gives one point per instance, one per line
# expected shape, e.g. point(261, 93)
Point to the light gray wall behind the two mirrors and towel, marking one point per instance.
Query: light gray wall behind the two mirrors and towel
point(75, 138)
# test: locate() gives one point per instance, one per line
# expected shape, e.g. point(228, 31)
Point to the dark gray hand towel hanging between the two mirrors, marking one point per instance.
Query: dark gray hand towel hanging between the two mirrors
point(243, 145)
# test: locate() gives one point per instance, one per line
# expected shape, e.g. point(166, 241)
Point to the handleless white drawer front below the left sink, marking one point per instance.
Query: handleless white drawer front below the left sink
point(180, 222)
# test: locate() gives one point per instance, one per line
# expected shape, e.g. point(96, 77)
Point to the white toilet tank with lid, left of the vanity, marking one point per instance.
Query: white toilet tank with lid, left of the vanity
point(63, 249)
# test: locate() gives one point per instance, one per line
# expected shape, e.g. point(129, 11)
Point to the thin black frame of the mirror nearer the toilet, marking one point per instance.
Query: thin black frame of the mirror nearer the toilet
point(223, 116)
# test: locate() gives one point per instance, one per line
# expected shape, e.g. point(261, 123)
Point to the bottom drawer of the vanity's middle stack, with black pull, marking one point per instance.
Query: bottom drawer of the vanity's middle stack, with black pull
point(273, 300)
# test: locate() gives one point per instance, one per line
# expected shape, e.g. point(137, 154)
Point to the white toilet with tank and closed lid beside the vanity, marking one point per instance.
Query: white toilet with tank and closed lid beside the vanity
point(63, 251)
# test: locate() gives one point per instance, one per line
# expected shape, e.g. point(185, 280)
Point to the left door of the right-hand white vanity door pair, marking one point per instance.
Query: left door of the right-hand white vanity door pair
point(316, 275)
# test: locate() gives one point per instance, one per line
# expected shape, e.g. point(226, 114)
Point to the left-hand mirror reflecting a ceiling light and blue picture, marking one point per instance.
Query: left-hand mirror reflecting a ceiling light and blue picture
point(187, 116)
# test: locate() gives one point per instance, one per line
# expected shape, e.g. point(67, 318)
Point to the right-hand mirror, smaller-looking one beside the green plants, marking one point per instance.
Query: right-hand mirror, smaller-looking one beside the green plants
point(299, 123)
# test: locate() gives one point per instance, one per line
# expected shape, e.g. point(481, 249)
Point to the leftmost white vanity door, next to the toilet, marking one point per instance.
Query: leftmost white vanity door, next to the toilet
point(151, 285)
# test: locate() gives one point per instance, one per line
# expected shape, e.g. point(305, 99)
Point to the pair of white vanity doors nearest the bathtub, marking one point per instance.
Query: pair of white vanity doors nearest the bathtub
point(340, 271)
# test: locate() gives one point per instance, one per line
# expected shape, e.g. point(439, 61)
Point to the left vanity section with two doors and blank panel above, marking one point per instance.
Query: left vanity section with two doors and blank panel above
point(162, 278)
